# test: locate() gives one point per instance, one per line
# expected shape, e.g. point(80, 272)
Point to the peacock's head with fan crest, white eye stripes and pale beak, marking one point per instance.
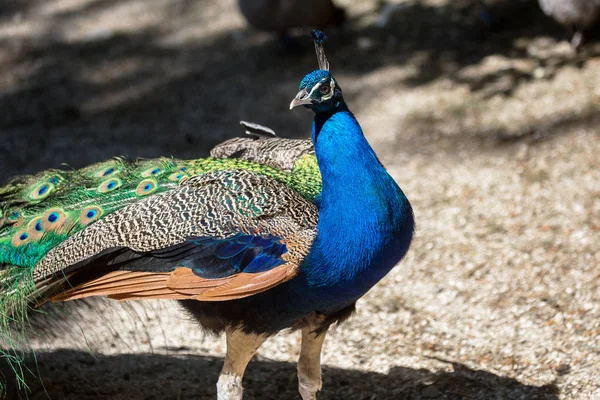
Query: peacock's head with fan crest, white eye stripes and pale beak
point(319, 91)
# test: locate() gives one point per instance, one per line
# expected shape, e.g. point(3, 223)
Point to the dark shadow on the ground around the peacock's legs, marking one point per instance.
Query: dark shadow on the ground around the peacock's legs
point(78, 375)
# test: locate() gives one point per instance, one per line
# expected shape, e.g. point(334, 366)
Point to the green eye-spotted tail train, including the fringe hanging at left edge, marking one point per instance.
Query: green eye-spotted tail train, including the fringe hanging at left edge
point(41, 211)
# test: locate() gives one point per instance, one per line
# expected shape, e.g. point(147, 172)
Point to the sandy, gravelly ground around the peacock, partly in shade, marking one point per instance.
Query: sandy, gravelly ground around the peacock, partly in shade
point(492, 133)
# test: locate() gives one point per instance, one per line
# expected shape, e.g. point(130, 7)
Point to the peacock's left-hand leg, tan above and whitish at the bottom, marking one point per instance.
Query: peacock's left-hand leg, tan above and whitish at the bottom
point(241, 347)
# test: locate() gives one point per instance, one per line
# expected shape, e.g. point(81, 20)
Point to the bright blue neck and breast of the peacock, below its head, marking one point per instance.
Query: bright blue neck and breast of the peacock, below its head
point(365, 221)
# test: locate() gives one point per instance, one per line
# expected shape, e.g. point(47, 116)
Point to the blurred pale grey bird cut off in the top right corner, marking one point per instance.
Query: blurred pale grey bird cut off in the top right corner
point(575, 15)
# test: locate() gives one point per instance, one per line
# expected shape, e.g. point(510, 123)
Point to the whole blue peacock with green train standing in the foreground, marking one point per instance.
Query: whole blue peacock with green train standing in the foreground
point(266, 234)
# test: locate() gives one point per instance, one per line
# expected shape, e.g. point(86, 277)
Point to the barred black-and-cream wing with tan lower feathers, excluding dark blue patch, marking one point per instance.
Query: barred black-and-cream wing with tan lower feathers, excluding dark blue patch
point(157, 222)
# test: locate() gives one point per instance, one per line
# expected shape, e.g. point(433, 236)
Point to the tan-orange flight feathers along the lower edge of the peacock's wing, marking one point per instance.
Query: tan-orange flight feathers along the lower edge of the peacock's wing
point(181, 284)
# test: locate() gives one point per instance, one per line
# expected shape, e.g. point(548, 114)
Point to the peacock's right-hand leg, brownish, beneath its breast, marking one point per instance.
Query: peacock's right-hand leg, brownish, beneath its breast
point(309, 363)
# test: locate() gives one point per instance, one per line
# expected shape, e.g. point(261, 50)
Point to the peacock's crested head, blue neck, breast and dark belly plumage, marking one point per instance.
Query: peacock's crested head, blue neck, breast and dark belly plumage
point(365, 225)
